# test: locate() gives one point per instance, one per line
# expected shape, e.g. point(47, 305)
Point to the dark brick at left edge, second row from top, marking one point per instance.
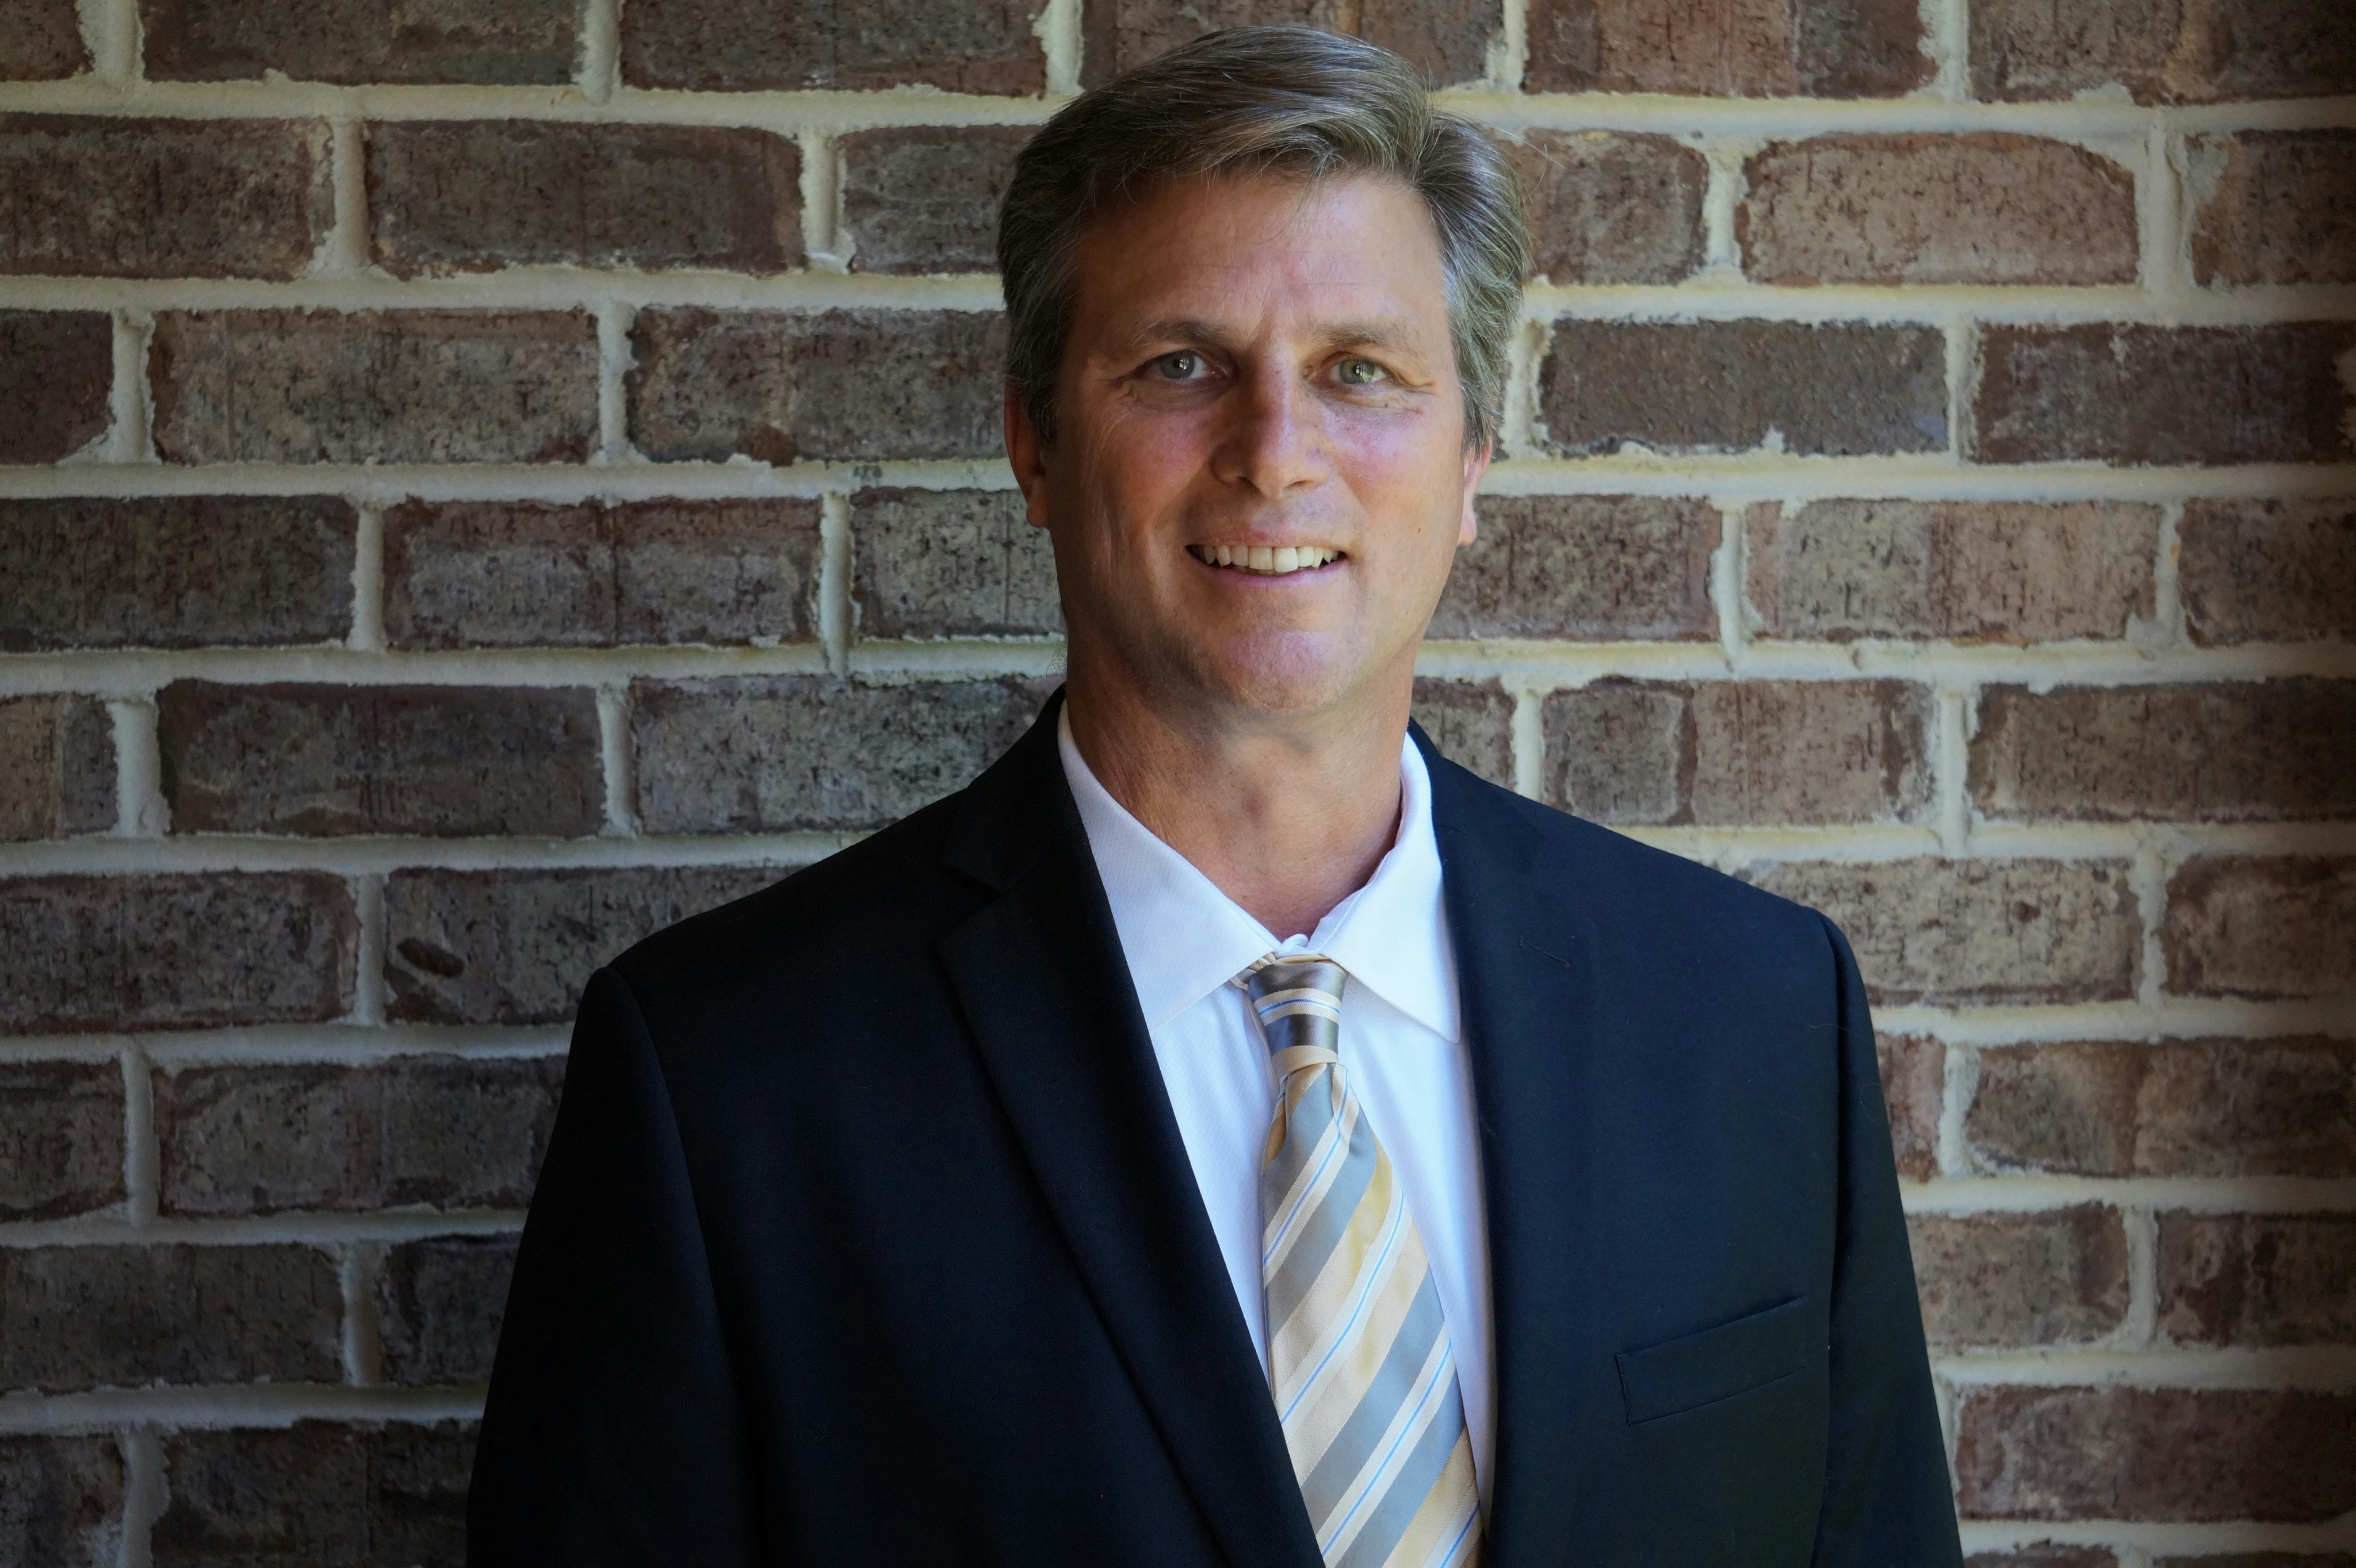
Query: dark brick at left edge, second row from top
point(161, 199)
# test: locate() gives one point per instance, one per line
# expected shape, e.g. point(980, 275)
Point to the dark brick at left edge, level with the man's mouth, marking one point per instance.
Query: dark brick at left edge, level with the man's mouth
point(190, 571)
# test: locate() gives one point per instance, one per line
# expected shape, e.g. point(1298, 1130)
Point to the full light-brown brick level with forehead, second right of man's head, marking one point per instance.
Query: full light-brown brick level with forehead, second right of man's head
point(1921, 208)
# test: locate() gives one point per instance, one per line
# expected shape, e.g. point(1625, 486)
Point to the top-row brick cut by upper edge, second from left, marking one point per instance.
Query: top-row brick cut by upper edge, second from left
point(362, 41)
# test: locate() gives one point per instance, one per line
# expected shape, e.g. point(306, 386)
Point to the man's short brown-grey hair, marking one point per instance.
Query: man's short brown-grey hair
point(1264, 102)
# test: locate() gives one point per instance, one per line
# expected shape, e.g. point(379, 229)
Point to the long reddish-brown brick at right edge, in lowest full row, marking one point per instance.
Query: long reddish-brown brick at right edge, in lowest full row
point(2155, 1454)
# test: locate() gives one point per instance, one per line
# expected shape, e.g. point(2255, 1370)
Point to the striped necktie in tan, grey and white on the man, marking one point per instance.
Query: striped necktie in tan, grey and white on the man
point(1358, 1350)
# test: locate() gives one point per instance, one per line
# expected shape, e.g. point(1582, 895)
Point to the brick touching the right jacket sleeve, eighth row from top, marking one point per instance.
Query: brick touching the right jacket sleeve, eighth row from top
point(2056, 1277)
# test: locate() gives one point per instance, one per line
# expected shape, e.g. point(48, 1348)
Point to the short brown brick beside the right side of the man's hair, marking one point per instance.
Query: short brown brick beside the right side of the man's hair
point(1613, 208)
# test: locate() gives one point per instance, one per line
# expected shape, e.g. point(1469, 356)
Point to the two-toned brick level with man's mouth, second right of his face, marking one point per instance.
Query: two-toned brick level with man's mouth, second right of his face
point(1968, 571)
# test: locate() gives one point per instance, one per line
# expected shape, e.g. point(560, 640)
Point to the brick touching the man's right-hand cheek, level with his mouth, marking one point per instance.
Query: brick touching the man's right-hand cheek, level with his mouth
point(1584, 569)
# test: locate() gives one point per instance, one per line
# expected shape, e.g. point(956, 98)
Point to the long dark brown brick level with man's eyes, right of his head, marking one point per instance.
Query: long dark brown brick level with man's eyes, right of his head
point(1742, 385)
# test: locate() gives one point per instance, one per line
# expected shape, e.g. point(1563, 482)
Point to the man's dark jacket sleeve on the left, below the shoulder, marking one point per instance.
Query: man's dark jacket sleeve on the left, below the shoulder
point(611, 1433)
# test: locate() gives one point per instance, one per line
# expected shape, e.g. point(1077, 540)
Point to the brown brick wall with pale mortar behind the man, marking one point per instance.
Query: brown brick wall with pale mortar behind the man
point(482, 481)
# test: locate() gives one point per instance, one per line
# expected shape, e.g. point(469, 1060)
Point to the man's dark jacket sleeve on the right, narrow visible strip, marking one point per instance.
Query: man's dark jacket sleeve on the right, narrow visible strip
point(1888, 1501)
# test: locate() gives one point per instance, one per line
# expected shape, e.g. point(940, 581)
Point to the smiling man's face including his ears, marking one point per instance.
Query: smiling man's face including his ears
point(1259, 470)
